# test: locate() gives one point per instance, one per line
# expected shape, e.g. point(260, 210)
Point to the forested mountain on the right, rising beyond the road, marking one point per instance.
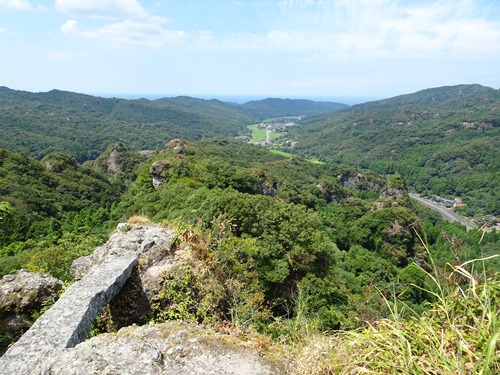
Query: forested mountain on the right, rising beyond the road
point(445, 141)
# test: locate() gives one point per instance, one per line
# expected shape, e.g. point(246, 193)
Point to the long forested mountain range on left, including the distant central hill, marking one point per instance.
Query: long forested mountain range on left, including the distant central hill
point(84, 126)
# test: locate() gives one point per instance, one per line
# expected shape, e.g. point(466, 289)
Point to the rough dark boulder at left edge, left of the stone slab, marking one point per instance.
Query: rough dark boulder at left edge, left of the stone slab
point(21, 295)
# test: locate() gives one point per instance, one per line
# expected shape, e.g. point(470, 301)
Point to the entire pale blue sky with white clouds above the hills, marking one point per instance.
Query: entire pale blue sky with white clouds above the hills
point(290, 48)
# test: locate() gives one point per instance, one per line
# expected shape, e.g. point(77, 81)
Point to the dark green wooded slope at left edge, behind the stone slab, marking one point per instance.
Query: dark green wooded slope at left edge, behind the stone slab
point(51, 211)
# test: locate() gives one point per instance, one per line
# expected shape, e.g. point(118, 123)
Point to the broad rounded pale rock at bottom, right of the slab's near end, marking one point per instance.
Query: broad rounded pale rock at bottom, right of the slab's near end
point(169, 348)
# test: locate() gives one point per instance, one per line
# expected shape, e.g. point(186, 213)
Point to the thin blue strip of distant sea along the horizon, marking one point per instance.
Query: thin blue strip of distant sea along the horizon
point(240, 99)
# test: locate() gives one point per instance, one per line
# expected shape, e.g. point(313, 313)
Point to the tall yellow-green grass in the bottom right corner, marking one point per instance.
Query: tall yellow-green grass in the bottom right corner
point(458, 334)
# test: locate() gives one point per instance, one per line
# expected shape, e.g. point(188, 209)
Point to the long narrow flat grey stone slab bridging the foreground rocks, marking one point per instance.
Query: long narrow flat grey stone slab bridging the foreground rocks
point(67, 322)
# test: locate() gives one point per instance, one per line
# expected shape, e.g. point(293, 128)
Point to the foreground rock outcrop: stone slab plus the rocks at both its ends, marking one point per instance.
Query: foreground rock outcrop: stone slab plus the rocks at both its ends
point(140, 254)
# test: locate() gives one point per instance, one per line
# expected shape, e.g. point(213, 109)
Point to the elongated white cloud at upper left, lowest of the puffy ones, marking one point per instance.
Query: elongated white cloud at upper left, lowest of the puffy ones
point(128, 32)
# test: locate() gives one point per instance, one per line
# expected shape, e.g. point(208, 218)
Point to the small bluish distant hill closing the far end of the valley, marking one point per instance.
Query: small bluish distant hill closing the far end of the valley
point(274, 107)
